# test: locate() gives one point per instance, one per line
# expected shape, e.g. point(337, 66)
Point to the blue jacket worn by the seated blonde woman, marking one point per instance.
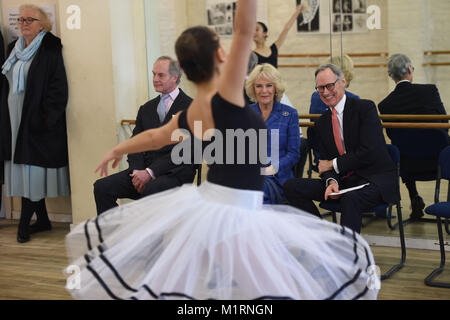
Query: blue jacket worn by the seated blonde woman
point(284, 119)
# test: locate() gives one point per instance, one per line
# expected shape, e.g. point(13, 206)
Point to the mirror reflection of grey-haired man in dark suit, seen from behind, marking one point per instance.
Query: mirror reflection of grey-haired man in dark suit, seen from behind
point(409, 98)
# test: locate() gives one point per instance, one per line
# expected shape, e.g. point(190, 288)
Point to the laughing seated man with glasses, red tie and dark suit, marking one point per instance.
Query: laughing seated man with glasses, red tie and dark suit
point(353, 152)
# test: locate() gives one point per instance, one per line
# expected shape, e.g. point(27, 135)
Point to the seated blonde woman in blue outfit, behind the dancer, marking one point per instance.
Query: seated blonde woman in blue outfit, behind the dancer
point(265, 86)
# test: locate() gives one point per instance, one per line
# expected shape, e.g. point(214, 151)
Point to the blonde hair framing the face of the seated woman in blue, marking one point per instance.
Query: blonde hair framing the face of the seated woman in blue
point(268, 72)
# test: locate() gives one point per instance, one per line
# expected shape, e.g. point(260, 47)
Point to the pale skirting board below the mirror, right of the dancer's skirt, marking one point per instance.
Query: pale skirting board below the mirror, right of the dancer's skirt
point(411, 243)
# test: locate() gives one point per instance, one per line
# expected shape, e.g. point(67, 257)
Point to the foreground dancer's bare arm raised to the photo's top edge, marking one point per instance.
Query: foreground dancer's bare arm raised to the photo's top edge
point(231, 82)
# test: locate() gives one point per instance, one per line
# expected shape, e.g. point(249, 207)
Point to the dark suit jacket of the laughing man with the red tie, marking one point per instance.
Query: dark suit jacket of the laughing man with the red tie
point(367, 155)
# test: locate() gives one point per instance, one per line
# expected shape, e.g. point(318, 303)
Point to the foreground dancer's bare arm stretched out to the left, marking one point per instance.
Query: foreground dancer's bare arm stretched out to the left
point(153, 139)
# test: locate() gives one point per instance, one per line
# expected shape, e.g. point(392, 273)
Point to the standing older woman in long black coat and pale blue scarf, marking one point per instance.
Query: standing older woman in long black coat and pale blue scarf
point(33, 127)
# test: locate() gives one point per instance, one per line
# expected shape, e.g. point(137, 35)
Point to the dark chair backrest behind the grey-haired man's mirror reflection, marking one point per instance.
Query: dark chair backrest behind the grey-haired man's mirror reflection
point(419, 143)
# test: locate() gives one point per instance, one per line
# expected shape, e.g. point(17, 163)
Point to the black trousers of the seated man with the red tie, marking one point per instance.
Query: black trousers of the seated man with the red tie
point(301, 192)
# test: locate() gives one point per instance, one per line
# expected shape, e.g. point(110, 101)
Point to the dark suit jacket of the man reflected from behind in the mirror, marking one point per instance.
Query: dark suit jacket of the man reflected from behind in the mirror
point(410, 98)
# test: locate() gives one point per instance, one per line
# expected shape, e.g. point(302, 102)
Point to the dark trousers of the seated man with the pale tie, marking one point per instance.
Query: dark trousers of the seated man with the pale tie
point(120, 186)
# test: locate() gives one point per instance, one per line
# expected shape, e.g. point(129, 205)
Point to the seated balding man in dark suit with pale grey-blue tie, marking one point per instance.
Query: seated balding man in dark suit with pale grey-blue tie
point(153, 171)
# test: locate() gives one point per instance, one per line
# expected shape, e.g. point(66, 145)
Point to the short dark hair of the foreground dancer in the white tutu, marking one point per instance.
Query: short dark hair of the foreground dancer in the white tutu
point(195, 49)
